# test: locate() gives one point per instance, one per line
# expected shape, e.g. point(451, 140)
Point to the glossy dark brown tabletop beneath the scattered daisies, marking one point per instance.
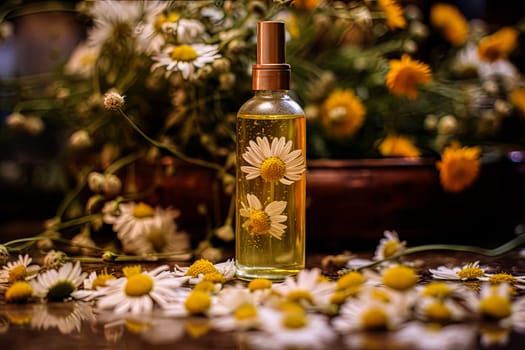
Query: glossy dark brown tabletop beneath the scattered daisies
point(73, 325)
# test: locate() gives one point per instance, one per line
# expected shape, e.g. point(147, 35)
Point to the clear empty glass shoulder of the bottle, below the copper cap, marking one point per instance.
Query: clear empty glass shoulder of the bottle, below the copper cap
point(278, 104)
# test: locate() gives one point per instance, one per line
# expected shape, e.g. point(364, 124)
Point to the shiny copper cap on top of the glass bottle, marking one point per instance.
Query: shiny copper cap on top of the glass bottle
point(271, 72)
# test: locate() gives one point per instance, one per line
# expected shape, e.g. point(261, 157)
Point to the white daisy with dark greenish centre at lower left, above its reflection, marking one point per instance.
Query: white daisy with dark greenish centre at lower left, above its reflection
point(58, 285)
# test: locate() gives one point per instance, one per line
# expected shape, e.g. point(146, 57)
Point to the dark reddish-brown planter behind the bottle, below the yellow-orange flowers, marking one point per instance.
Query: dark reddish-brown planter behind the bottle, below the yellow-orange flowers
point(350, 203)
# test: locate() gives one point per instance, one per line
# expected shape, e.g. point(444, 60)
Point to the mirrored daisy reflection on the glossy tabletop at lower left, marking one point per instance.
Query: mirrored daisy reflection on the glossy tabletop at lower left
point(69, 319)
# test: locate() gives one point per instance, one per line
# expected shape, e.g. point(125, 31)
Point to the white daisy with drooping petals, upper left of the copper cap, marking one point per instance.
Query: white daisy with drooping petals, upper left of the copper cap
point(185, 58)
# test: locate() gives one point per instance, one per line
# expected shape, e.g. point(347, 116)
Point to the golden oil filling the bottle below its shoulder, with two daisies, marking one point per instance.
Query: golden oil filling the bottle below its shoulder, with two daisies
point(270, 195)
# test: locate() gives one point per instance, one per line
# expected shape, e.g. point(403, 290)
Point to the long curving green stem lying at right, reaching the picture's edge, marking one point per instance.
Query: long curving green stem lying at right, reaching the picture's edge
point(502, 249)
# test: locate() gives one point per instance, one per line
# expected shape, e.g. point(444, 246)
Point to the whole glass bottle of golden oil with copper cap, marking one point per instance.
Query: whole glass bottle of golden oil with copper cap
point(271, 164)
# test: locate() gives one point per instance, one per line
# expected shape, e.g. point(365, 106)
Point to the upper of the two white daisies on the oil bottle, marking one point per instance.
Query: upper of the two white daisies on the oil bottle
point(275, 162)
